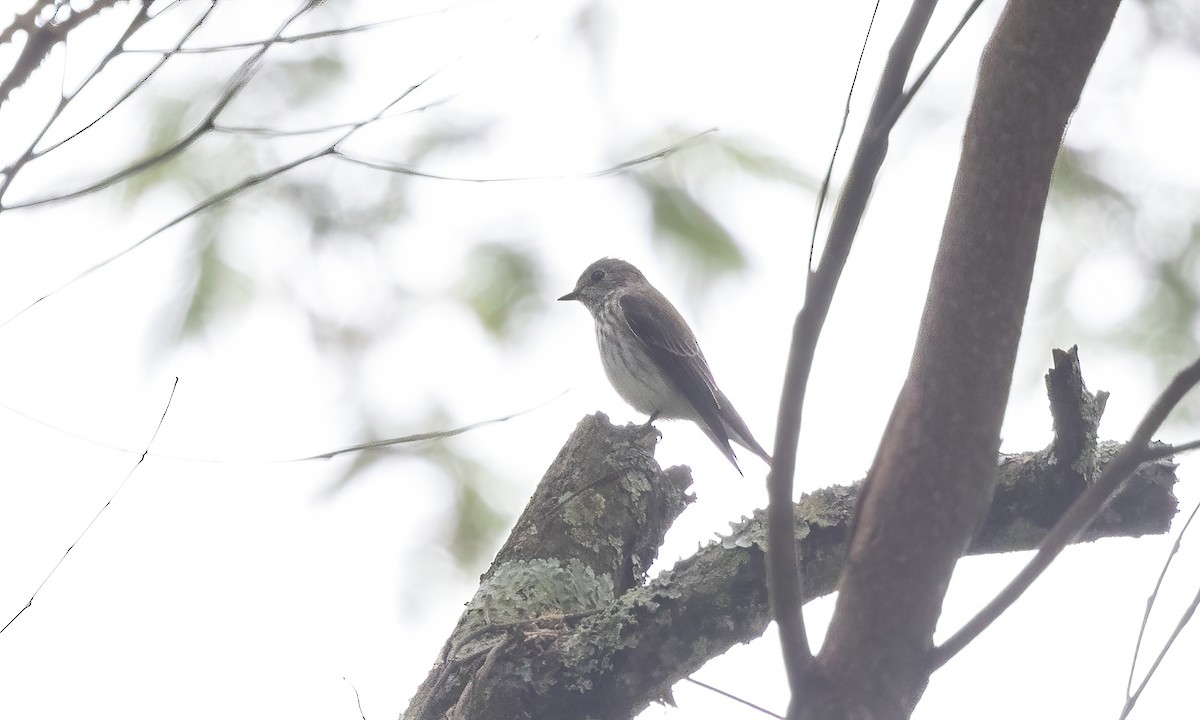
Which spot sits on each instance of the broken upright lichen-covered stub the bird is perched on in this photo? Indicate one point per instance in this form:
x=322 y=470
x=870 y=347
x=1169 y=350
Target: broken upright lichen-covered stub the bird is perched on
x=592 y=529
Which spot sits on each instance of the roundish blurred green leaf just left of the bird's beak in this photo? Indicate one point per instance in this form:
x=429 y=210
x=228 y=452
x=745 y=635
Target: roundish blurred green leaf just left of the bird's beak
x=501 y=285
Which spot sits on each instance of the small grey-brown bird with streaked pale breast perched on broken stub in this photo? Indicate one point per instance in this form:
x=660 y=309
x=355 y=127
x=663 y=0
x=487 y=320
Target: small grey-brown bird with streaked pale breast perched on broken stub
x=652 y=357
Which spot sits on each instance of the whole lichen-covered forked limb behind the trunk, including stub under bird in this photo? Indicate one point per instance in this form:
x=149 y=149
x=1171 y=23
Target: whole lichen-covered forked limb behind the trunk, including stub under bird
x=553 y=639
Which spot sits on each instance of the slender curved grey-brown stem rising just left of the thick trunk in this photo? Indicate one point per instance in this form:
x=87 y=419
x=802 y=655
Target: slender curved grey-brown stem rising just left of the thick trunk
x=783 y=567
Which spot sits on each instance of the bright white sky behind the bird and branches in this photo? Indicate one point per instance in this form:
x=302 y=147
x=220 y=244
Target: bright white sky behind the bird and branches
x=239 y=589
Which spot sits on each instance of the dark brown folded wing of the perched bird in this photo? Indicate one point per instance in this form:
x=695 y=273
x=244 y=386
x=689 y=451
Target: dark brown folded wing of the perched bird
x=674 y=349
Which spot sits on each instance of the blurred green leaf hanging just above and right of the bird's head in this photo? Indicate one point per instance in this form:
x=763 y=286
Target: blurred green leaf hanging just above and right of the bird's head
x=682 y=220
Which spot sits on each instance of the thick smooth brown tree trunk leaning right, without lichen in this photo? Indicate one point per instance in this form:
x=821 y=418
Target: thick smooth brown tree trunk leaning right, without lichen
x=935 y=470
